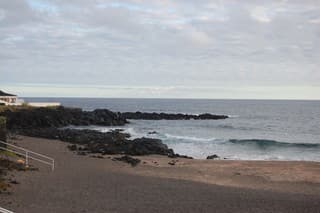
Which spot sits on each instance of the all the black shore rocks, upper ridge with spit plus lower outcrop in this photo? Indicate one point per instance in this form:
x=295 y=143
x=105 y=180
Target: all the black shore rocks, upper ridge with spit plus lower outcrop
x=49 y=122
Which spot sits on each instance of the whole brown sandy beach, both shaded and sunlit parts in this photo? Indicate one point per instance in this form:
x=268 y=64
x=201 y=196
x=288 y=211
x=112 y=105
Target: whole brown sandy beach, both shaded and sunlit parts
x=85 y=184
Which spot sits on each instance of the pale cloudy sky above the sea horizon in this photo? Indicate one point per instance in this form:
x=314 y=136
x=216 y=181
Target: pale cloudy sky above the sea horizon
x=226 y=49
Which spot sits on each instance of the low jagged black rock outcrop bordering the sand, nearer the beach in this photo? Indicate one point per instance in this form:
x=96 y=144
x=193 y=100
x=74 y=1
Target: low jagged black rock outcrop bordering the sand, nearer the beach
x=90 y=141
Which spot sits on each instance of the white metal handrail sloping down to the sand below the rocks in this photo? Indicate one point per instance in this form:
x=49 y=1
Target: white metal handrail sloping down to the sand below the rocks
x=28 y=154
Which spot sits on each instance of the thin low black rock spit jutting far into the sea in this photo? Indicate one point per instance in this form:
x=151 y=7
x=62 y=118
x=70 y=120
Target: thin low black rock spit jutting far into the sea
x=167 y=116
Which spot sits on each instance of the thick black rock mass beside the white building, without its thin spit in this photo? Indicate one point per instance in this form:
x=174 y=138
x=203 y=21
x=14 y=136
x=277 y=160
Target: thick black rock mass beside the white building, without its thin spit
x=59 y=117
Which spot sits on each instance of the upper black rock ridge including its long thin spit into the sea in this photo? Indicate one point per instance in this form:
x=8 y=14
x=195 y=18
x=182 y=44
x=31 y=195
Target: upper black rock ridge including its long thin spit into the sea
x=47 y=117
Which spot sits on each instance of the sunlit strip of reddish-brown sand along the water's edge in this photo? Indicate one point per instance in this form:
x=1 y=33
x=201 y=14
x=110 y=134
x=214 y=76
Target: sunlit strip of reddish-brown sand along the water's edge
x=280 y=176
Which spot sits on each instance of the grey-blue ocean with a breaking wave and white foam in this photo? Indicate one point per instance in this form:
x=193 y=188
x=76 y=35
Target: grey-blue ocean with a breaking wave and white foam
x=256 y=129
